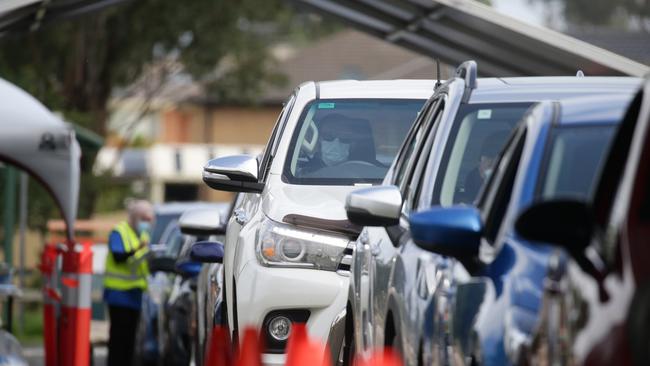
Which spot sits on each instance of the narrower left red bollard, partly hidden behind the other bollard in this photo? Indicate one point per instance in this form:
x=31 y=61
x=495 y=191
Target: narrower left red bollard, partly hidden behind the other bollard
x=51 y=300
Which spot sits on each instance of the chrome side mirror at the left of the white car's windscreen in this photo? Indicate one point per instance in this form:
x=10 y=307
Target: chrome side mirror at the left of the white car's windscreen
x=235 y=173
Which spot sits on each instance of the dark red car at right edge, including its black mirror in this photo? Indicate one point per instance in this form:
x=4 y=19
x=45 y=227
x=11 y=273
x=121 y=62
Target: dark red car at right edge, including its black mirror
x=596 y=307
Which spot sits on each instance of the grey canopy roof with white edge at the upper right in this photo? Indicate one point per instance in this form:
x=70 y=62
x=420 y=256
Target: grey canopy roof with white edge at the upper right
x=458 y=30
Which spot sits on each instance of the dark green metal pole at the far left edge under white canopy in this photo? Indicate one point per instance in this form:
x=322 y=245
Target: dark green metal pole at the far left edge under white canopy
x=8 y=218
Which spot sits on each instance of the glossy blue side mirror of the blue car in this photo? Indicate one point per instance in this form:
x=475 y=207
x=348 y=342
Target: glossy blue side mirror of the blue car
x=455 y=231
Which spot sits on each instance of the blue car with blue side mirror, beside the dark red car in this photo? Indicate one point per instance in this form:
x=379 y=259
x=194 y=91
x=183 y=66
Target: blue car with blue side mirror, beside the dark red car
x=488 y=289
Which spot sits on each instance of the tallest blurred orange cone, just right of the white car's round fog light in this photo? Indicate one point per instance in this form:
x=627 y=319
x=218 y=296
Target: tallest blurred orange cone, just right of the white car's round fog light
x=302 y=351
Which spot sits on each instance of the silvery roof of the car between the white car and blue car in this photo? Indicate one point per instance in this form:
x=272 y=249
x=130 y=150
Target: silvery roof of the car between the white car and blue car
x=531 y=89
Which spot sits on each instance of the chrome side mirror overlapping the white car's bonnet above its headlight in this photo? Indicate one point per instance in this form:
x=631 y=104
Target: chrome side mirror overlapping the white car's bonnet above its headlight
x=374 y=206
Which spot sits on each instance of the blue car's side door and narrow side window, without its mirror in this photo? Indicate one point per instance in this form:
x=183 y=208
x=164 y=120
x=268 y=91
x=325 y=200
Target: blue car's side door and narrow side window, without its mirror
x=477 y=282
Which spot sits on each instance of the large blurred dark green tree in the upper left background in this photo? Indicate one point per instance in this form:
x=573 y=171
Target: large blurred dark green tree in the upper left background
x=74 y=66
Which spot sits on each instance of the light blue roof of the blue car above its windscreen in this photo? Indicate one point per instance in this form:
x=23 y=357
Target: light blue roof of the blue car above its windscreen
x=594 y=109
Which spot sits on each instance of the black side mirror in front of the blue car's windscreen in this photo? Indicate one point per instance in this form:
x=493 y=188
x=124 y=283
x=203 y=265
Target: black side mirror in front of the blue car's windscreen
x=566 y=223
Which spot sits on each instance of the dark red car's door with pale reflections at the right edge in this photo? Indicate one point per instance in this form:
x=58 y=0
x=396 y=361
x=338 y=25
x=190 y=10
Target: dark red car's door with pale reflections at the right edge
x=608 y=292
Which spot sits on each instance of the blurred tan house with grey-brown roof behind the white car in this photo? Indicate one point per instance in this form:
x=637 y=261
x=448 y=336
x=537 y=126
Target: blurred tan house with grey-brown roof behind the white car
x=183 y=128
